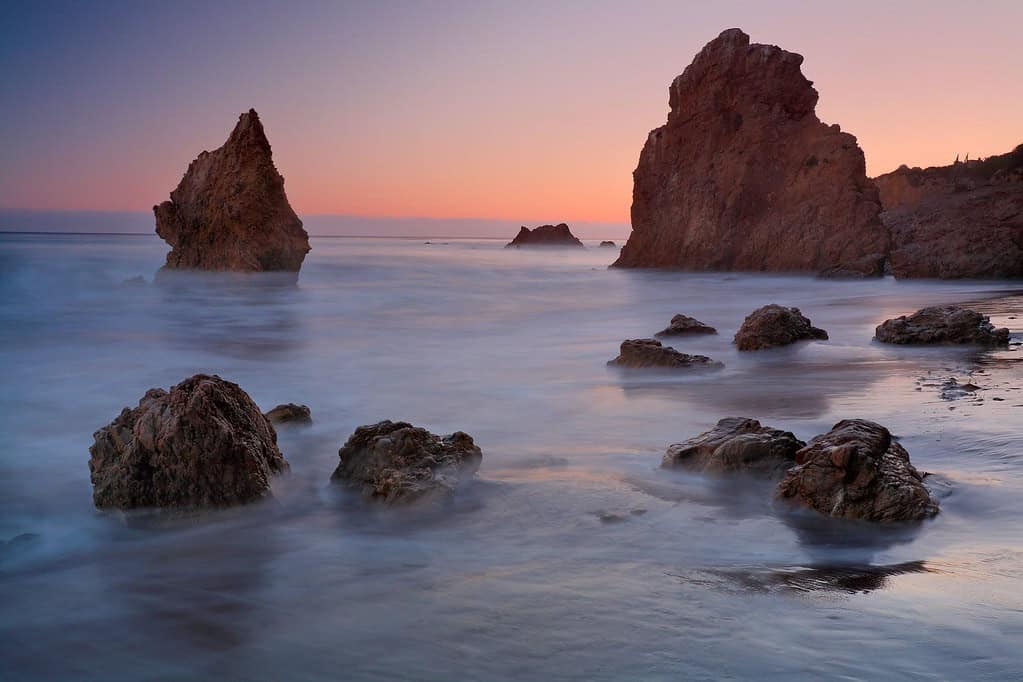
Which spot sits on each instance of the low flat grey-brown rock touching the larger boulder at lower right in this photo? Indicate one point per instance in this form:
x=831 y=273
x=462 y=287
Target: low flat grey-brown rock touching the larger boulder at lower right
x=736 y=444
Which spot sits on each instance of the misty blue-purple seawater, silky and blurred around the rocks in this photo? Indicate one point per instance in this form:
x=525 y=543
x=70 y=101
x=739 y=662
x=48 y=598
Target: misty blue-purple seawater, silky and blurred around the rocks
x=573 y=556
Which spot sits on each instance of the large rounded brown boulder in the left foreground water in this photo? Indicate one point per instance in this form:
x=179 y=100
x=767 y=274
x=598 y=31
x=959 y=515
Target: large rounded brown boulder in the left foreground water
x=202 y=444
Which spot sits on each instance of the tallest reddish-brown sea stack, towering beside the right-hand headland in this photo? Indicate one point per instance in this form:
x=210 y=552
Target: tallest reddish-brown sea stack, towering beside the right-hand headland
x=744 y=176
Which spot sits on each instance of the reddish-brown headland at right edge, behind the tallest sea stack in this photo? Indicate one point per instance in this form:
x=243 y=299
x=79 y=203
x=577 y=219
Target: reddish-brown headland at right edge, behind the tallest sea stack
x=964 y=220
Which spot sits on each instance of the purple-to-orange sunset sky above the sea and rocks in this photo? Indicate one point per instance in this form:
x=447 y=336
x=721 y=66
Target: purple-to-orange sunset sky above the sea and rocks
x=531 y=112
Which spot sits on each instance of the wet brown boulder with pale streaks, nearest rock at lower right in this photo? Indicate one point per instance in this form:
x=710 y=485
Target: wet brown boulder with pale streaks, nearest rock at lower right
x=857 y=471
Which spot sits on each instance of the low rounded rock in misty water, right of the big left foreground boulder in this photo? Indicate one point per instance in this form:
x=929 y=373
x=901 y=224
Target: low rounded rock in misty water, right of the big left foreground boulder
x=395 y=462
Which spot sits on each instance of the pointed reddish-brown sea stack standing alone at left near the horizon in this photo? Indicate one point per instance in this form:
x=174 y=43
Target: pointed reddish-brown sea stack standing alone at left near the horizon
x=230 y=212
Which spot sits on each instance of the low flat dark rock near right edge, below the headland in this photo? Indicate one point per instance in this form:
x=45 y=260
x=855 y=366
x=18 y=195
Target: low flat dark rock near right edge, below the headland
x=943 y=325
